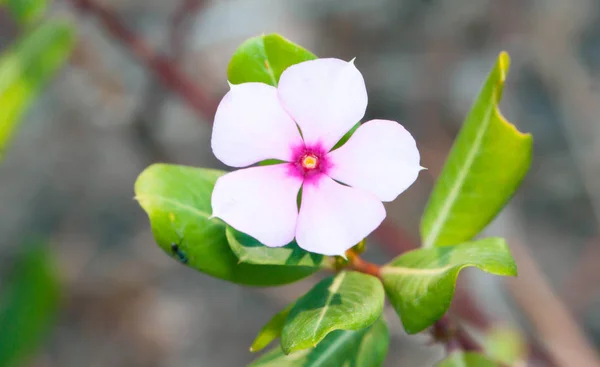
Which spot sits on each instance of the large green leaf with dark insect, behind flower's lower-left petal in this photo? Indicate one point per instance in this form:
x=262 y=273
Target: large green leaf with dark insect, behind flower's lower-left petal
x=177 y=201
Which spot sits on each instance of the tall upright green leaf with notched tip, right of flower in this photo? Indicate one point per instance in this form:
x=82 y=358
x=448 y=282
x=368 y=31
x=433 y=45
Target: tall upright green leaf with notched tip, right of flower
x=488 y=161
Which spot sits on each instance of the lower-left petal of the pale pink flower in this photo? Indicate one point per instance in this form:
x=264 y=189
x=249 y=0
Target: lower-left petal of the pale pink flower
x=259 y=201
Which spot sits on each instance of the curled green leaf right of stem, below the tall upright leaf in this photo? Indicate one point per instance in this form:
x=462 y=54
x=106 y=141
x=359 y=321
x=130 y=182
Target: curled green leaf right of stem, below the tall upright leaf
x=420 y=283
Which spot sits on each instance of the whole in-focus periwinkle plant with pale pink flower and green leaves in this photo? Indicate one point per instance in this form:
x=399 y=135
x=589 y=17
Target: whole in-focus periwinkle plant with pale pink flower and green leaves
x=317 y=191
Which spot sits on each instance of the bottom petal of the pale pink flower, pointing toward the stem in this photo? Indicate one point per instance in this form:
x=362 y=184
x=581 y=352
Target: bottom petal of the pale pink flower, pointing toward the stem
x=334 y=217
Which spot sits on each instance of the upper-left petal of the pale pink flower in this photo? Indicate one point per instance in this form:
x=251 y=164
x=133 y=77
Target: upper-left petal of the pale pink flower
x=251 y=126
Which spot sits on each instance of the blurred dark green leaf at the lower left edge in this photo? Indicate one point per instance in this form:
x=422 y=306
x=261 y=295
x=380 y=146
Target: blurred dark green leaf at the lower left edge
x=28 y=307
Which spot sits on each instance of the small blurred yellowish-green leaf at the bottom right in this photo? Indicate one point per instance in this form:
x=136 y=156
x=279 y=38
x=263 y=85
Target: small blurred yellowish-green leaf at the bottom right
x=505 y=345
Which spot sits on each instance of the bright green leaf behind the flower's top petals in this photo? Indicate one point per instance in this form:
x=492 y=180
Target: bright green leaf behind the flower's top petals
x=264 y=58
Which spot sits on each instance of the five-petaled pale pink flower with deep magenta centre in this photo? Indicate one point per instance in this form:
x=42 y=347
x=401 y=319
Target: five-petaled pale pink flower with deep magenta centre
x=298 y=123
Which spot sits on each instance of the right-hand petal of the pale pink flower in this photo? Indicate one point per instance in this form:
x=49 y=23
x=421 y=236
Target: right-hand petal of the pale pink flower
x=381 y=157
